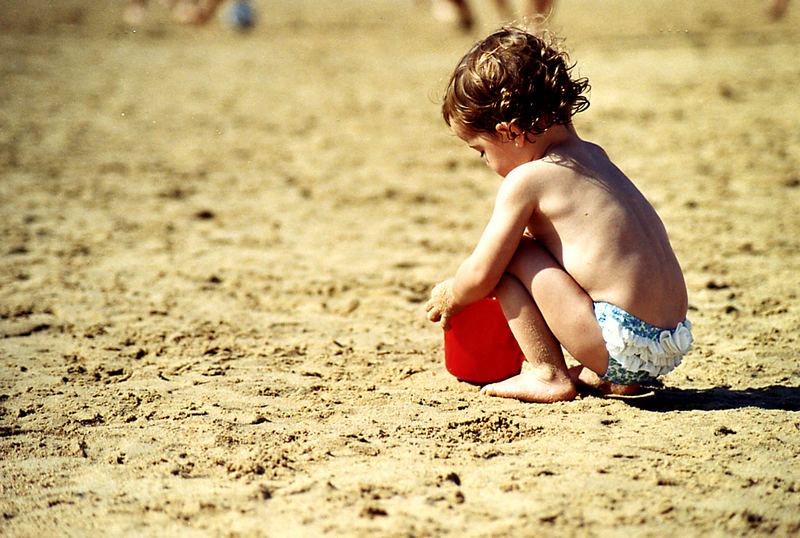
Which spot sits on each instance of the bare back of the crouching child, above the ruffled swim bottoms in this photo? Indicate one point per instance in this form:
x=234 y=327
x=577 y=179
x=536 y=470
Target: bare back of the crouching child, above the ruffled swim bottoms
x=605 y=234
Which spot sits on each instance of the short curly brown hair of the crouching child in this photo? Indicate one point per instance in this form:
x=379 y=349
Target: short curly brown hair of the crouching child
x=514 y=77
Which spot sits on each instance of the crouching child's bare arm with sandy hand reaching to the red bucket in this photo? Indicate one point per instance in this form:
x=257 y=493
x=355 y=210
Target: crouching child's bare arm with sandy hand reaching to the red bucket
x=481 y=271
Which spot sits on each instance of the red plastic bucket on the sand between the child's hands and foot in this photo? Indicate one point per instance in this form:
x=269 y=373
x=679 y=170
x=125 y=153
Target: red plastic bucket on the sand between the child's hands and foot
x=479 y=346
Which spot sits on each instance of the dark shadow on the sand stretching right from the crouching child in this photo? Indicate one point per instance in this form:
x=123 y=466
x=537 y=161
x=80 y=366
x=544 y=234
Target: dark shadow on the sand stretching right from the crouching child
x=720 y=398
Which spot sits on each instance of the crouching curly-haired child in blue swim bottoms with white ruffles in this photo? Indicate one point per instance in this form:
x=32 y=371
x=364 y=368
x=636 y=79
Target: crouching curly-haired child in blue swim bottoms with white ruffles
x=575 y=254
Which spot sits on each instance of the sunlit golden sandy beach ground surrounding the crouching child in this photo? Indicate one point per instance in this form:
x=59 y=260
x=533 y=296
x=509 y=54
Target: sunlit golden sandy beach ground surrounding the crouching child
x=216 y=250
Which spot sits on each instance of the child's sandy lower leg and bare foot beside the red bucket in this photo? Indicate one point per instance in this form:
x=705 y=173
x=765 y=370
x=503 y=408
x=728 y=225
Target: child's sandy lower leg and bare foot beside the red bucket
x=547 y=379
